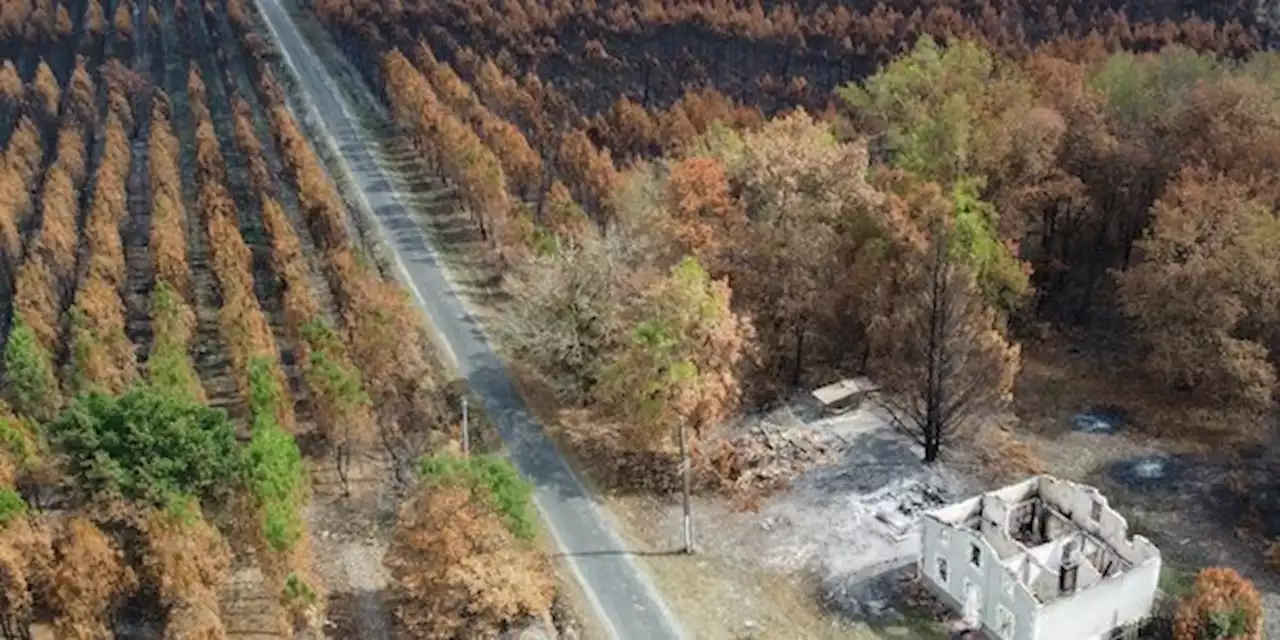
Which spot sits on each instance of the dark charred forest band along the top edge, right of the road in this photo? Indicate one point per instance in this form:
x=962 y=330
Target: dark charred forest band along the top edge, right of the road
x=774 y=56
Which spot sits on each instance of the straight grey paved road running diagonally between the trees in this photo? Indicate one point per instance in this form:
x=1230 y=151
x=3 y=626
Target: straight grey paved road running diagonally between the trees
x=623 y=596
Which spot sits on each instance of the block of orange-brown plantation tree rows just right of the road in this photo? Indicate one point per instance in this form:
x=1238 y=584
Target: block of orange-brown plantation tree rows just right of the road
x=557 y=156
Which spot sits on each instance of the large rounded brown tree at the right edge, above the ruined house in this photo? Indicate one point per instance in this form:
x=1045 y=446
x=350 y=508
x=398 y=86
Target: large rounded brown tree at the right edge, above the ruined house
x=1204 y=299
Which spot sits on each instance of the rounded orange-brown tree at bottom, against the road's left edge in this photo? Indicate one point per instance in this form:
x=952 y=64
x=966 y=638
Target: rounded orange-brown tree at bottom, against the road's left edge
x=459 y=572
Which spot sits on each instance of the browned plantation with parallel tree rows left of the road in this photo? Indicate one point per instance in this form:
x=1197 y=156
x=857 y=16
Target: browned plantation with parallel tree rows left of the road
x=195 y=339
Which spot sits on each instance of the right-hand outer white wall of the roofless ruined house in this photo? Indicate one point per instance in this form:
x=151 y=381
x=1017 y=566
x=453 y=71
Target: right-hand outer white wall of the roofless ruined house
x=1095 y=611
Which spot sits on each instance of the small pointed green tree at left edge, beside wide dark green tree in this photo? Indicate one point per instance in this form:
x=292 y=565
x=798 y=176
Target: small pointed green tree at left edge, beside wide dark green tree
x=30 y=383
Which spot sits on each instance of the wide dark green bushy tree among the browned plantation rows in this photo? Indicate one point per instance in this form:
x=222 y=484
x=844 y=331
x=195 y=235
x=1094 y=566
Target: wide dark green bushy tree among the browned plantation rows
x=149 y=446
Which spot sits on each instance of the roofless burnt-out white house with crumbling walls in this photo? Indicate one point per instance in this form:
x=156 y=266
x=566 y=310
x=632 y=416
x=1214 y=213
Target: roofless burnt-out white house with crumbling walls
x=1040 y=560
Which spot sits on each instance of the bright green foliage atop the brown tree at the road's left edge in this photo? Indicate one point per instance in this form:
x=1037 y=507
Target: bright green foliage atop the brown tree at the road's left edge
x=495 y=479
